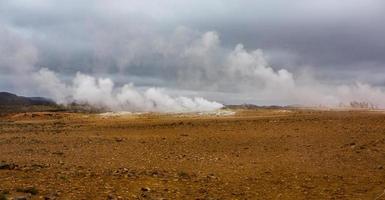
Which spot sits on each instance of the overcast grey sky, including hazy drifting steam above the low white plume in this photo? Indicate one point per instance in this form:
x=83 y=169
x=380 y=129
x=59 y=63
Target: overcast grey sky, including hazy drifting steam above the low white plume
x=229 y=51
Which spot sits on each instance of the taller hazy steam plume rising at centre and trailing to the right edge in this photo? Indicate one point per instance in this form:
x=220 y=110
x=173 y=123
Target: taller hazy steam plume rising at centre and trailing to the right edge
x=248 y=76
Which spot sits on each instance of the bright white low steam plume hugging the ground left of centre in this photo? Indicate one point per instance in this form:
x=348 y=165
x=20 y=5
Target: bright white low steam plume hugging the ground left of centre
x=101 y=93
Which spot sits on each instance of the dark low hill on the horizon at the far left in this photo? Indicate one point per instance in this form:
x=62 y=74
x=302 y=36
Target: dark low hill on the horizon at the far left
x=9 y=99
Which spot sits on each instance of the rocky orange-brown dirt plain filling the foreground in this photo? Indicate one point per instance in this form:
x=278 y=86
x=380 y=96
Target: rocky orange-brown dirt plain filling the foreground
x=254 y=154
